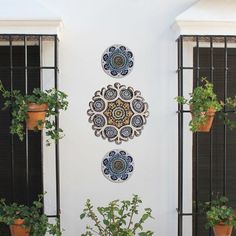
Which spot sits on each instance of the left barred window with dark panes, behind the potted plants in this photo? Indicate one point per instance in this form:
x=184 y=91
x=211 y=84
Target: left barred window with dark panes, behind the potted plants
x=26 y=62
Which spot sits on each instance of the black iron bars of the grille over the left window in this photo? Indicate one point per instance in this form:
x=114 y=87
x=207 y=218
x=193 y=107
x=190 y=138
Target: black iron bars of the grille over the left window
x=25 y=38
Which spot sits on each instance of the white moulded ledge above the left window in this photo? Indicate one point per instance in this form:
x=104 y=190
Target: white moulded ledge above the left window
x=36 y=18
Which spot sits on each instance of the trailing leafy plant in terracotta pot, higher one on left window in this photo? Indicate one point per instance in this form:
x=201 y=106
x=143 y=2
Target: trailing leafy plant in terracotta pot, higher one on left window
x=25 y=108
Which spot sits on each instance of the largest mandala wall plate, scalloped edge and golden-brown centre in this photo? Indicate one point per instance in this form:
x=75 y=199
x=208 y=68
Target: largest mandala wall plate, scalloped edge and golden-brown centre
x=118 y=113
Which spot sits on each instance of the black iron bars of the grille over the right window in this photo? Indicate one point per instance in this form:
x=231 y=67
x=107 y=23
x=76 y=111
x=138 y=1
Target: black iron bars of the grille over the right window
x=183 y=111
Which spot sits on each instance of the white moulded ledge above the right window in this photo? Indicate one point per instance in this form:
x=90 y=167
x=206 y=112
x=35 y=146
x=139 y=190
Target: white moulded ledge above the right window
x=207 y=17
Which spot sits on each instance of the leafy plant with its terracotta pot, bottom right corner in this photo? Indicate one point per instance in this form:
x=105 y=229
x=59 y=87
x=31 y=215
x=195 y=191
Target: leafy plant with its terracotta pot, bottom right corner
x=220 y=216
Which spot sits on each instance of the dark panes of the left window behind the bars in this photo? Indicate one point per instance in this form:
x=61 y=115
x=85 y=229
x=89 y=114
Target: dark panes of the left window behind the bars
x=13 y=153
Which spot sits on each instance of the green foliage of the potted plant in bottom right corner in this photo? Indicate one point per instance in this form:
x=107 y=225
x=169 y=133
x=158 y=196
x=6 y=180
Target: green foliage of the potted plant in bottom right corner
x=218 y=212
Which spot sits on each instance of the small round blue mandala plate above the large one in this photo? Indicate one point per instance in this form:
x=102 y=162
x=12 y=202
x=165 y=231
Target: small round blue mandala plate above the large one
x=117 y=61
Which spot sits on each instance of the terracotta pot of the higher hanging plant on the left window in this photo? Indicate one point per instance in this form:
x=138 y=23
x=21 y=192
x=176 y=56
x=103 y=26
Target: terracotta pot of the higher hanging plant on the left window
x=36 y=112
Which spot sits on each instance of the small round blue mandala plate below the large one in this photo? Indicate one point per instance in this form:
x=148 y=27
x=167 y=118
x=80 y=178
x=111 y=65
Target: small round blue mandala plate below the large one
x=117 y=165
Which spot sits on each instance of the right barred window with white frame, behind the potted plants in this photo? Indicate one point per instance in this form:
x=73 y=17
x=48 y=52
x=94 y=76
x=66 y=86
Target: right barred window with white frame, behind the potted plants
x=213 y=162
